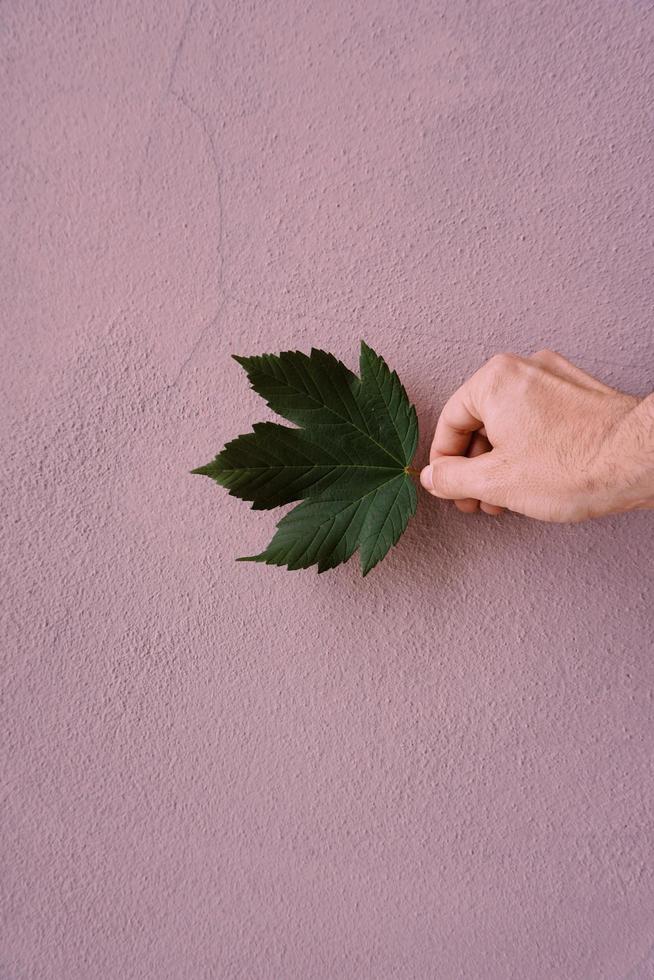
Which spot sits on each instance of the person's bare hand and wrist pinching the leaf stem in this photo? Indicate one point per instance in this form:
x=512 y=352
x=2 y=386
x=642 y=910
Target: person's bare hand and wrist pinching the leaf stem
x=543 y=438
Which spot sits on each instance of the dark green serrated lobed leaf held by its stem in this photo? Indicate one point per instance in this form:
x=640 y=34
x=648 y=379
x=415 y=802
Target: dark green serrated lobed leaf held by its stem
x=348 y=462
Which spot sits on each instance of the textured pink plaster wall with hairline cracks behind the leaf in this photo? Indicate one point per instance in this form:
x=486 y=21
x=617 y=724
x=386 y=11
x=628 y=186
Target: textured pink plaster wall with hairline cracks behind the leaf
x=222 y=770
